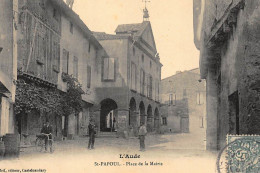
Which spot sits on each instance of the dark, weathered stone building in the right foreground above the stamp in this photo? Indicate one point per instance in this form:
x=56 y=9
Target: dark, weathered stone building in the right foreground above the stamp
x=227 y=35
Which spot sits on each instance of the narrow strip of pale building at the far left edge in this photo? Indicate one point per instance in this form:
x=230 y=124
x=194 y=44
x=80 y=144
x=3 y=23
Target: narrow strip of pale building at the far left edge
x=8 y=64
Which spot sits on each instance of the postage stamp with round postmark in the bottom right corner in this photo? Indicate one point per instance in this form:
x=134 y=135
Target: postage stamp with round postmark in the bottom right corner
x=242 y=154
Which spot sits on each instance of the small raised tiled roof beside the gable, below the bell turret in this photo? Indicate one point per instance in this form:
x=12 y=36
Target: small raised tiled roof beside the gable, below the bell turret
x=137 y=29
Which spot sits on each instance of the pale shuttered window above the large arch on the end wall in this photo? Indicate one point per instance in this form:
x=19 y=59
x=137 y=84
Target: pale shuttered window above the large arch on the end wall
x=109 y=69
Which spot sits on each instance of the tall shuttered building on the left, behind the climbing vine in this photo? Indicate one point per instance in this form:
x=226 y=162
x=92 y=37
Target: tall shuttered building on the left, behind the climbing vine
x=53 y=42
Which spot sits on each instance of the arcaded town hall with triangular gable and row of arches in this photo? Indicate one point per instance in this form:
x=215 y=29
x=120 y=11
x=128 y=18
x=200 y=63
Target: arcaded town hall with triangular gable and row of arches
x=130 y=80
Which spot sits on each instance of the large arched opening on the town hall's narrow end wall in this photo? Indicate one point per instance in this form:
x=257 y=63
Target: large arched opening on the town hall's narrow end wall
x=108 y=116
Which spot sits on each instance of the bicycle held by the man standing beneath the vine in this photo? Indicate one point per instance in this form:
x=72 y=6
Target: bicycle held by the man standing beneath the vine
x=40 y=143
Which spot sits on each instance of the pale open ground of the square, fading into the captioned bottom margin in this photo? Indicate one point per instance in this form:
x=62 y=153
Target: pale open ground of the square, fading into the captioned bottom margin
x=171 y=152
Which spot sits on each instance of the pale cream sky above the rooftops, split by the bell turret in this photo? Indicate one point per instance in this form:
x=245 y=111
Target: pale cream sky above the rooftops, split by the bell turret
x=171 y=20
